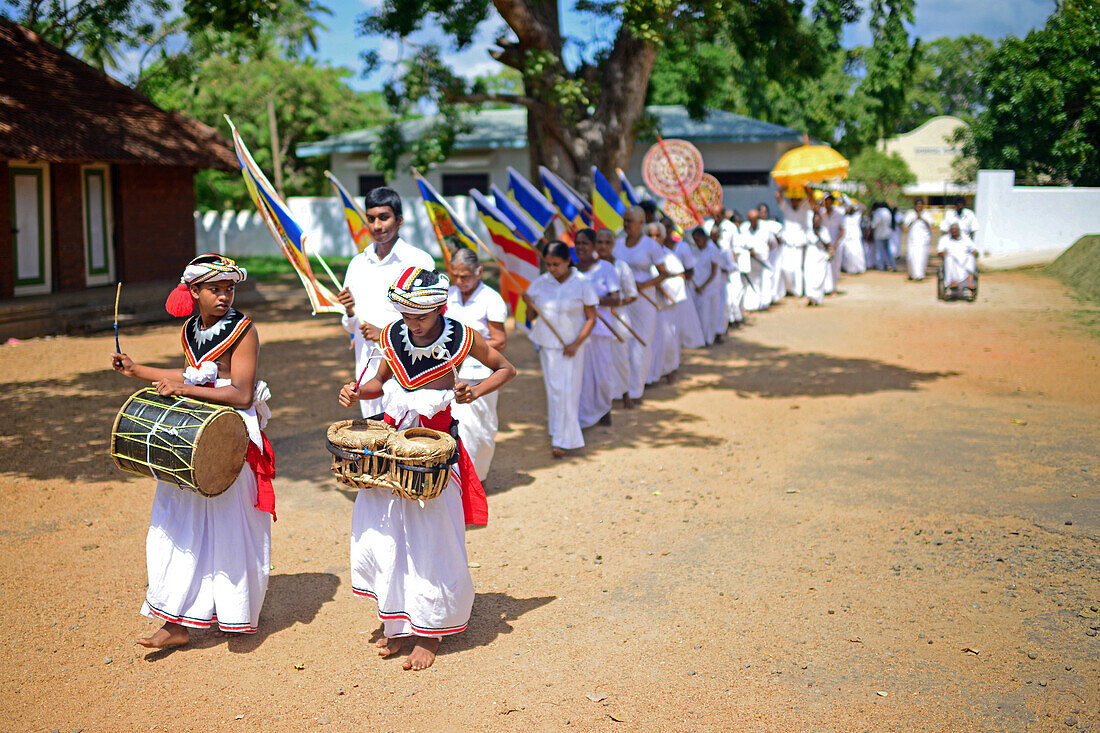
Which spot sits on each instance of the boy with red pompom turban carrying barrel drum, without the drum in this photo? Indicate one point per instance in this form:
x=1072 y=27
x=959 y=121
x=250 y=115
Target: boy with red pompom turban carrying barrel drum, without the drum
x=210 y=557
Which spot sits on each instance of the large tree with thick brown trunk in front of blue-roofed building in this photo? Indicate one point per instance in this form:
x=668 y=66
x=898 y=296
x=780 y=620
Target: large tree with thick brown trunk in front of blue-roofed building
x=589 y=114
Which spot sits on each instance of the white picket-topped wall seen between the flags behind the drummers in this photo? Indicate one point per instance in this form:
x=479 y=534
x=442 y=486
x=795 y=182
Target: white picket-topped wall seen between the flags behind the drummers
x=244 y=234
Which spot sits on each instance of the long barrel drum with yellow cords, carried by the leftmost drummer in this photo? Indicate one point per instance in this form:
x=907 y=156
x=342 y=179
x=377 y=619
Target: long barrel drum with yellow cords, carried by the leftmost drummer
x=194 y=445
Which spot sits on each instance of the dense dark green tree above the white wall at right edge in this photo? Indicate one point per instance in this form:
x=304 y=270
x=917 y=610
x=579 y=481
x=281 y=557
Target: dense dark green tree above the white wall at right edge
x=1043 y=115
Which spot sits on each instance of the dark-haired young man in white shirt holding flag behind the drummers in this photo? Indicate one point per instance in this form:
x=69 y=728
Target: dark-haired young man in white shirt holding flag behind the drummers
x=370 y=276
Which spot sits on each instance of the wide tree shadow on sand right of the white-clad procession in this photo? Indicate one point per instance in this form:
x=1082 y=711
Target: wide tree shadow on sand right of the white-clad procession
x=752 y=369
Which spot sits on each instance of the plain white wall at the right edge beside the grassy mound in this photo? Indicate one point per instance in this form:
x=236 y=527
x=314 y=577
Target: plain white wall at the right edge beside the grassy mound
x=1031 y=225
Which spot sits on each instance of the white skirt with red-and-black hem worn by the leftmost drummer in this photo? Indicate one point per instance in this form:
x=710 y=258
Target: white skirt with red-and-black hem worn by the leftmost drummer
x=208 y=557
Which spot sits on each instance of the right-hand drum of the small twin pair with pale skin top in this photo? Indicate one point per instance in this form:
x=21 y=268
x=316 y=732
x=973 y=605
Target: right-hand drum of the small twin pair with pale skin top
x=423 y=461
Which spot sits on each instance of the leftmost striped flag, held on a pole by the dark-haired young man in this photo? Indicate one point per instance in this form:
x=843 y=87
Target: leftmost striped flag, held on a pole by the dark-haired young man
x=287 y=232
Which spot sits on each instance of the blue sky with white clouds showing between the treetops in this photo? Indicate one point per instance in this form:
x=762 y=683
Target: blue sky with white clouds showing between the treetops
x=340 y=46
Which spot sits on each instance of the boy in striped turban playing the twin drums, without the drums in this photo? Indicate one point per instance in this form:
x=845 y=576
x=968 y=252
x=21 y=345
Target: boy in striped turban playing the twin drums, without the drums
x=412 y=557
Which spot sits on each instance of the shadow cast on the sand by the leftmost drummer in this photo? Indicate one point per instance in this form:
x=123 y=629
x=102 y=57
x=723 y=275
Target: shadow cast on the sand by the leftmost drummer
x=292 y=599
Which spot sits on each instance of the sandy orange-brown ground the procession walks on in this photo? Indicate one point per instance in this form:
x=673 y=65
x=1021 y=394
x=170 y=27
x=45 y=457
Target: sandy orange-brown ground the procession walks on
x=883 y=515
